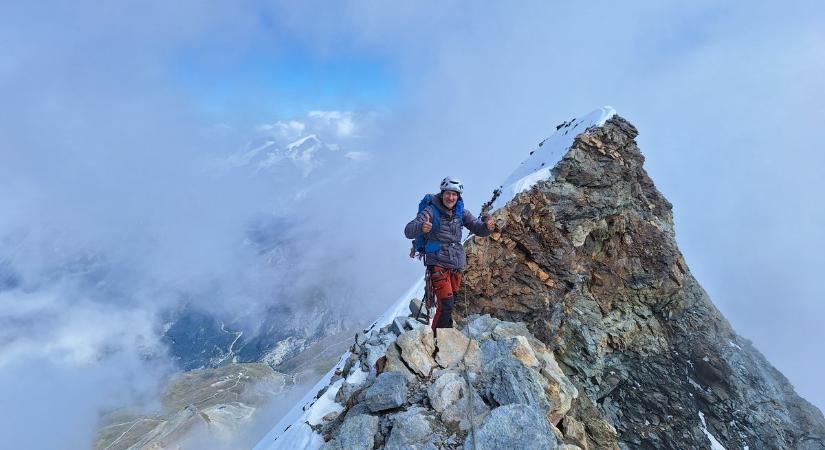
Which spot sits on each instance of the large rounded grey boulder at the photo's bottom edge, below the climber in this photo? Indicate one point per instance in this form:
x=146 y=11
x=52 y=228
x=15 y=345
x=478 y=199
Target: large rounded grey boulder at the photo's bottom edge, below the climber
x=513 y=426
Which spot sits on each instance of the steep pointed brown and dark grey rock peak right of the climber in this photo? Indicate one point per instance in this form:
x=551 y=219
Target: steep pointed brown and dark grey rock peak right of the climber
x=588 y=260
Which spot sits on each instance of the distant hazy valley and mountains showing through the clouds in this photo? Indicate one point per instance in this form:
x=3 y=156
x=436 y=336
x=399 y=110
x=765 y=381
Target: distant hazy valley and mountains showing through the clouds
x=234 y=364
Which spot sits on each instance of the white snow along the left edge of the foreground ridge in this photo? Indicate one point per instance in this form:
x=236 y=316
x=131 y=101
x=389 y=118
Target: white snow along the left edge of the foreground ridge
x=293 y=431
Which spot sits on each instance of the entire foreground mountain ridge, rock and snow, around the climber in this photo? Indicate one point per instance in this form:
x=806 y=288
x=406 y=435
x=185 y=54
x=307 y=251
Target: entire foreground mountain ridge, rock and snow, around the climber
x=579 y=326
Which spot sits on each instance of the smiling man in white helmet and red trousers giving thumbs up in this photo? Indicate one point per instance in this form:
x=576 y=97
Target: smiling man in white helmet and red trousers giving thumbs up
x=437 y=233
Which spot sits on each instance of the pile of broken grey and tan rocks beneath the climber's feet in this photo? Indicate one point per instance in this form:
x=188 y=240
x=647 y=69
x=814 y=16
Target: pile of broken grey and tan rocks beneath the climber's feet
x=492 y=377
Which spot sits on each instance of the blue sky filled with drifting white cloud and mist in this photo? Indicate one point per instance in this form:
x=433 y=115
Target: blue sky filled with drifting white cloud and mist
x=112 y=116
